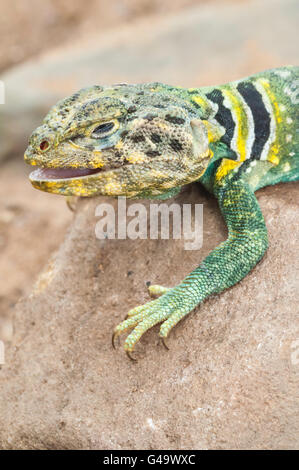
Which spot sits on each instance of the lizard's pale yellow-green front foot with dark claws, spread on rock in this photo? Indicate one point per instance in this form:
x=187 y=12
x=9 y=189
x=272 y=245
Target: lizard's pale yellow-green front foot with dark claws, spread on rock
x=170 y=308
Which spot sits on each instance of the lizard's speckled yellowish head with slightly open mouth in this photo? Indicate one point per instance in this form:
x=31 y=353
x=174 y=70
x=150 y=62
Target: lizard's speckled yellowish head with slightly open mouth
x=125 y=140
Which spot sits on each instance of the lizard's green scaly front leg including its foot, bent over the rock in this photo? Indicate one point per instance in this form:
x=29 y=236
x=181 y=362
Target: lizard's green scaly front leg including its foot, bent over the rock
x=226 y=265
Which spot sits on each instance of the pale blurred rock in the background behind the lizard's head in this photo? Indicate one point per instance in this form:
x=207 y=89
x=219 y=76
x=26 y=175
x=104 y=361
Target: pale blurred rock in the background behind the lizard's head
x=161 y=49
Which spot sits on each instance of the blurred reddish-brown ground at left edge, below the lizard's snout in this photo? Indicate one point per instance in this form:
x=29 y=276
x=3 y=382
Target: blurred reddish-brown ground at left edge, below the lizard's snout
x=32 y=226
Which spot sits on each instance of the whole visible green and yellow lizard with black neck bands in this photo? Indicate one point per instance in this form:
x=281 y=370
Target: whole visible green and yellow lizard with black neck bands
x=149 y=140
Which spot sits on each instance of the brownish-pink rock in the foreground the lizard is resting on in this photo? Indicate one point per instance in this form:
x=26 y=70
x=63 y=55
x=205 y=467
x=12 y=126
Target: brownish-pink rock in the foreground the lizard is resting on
x=229 y=380
